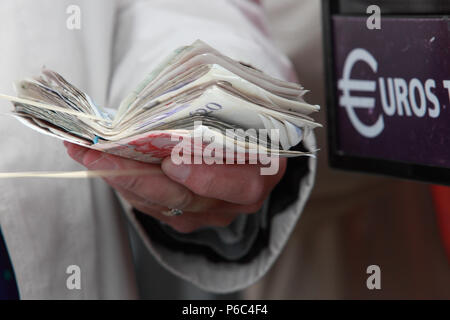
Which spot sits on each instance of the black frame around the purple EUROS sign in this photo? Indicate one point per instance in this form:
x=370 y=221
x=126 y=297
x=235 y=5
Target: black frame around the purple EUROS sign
x=338 y=159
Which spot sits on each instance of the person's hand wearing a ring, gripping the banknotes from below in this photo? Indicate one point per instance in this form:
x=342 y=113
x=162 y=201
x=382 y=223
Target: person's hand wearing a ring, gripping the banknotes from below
x=209 y=195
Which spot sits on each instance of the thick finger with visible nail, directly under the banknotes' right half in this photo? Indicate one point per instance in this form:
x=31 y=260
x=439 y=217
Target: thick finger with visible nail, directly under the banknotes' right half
x=235 y=183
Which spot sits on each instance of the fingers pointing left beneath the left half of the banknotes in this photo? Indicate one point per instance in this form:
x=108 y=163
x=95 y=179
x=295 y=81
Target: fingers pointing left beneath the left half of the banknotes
x=154 y=191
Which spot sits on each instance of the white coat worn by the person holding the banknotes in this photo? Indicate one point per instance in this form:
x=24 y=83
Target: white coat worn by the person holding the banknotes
x=50 y=224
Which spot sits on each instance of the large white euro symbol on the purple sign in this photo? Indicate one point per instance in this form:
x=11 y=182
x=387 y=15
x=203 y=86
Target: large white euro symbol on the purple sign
x=346 y=84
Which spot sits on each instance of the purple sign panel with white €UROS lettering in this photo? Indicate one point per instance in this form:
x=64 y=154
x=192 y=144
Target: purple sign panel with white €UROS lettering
x=393 y=89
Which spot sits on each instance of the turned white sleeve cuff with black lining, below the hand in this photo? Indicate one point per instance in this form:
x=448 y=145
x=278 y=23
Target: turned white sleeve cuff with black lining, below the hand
x=214 y=260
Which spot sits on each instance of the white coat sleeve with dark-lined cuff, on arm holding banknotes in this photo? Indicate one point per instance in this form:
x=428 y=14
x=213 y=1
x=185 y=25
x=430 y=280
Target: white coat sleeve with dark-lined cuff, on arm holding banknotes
x=148 y=31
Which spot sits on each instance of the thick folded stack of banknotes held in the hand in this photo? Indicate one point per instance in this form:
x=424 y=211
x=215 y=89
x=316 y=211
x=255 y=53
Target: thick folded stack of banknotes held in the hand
x=197 y=92
